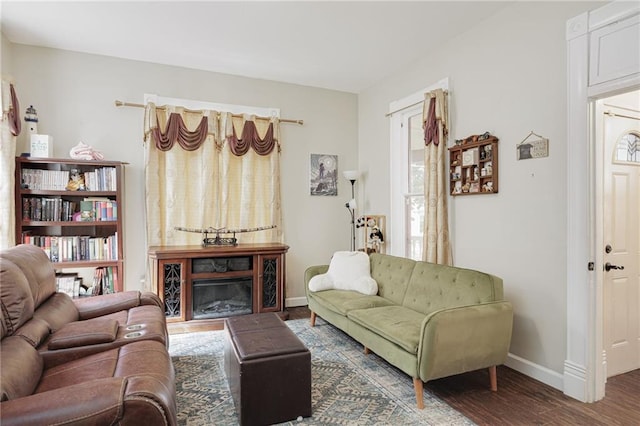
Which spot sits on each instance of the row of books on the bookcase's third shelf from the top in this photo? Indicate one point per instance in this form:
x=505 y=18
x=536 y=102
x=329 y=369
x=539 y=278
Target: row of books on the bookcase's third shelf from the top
x=75 y=248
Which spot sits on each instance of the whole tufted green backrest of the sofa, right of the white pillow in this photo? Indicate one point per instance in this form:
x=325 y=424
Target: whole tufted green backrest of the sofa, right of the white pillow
x=427 y=287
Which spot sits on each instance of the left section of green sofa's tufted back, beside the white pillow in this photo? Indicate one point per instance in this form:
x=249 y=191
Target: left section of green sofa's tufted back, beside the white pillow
x=392 y=274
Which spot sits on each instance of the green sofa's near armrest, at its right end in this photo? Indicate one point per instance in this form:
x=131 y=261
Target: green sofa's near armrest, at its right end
x=466 y=338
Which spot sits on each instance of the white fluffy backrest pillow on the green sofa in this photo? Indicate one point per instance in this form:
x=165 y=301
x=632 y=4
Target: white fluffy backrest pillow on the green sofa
x=348 y=270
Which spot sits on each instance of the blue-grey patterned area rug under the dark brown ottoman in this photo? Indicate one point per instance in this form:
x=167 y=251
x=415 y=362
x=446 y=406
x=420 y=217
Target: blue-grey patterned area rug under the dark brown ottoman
x=348 y=387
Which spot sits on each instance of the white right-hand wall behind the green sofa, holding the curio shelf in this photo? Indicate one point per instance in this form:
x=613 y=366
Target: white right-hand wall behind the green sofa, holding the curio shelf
x=507 y=76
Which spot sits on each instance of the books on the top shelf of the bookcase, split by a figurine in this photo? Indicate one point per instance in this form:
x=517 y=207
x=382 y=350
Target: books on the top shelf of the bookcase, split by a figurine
x=99 y=179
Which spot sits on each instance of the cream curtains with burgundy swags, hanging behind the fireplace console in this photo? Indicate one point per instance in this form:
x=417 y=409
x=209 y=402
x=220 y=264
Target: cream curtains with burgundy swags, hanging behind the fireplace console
x=209 y=186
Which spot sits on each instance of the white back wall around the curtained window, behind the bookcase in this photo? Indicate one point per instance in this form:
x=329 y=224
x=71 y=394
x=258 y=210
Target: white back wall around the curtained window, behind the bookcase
x=74 y=95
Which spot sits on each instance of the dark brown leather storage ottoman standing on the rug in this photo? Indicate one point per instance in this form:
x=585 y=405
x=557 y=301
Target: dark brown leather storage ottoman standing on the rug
x=268 y=369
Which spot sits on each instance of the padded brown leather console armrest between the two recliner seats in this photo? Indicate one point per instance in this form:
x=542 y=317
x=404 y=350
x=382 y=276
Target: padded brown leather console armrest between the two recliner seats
x=83 y=333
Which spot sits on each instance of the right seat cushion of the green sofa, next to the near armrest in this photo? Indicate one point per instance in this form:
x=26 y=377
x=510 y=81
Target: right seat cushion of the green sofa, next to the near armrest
x=395 y=323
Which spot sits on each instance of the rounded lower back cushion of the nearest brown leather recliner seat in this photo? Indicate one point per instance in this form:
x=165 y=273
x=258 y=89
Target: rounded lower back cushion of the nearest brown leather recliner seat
x=20 y=369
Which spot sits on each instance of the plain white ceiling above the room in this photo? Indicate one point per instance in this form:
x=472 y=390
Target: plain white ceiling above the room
x=345 y=46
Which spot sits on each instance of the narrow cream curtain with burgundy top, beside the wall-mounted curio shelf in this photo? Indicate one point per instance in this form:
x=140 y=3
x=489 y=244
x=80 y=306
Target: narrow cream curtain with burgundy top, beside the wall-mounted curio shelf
x=437 y=248
